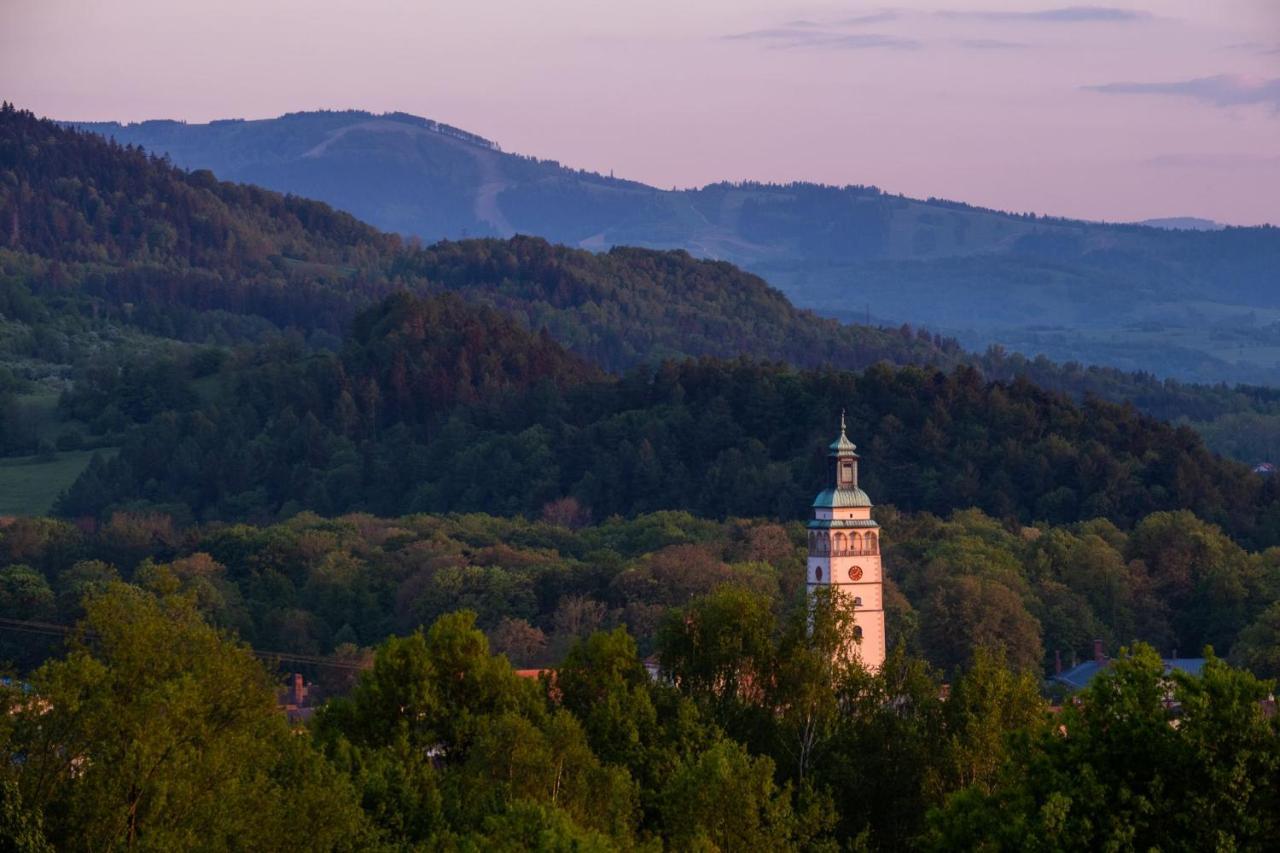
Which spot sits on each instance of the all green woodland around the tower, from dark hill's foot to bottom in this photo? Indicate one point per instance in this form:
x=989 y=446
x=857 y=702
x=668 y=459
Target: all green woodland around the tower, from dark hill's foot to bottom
x=157 y=727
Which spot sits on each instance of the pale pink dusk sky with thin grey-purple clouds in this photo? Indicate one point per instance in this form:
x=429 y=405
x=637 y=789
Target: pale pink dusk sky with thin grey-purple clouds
x=1103 y=110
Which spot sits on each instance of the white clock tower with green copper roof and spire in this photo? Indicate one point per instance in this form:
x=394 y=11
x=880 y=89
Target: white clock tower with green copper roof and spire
x=844 y=550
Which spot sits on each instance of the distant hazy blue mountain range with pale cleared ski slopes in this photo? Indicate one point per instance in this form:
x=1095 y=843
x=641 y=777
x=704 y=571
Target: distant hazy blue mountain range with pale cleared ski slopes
x=1196 y=305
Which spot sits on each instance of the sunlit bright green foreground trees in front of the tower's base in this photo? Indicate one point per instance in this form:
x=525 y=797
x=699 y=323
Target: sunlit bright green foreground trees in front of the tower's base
x=156 y=731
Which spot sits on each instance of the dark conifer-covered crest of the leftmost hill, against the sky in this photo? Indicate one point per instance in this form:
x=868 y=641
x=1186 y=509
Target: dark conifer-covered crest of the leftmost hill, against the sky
x=71 y=198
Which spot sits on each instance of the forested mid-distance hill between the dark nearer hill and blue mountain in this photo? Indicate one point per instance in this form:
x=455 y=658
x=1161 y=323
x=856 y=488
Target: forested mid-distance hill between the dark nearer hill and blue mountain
x=630 y=307
